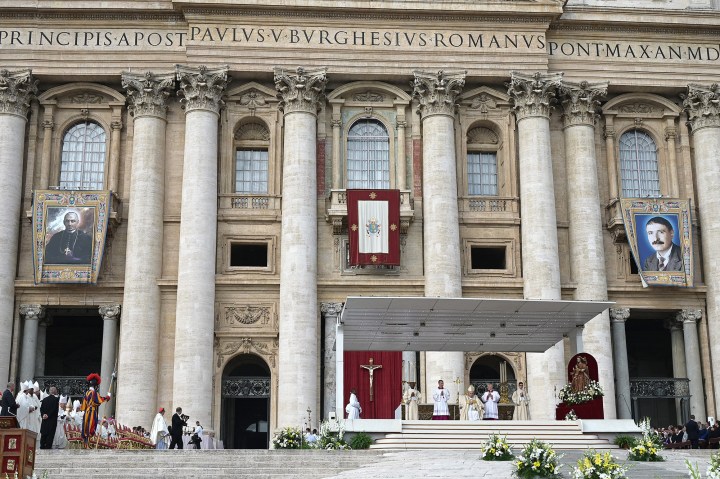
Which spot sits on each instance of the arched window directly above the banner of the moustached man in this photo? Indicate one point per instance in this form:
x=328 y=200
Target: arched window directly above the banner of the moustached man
x=638 y=165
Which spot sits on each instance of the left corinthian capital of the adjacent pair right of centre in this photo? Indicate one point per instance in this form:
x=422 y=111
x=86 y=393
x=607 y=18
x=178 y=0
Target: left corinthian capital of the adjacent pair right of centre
x=533 y=94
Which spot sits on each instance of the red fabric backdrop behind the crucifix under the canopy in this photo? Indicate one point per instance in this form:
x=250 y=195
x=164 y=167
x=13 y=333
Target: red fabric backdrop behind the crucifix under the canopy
x=387 y=382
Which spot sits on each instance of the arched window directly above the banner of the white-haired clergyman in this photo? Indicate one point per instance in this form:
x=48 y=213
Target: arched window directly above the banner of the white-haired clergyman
x=82 y=162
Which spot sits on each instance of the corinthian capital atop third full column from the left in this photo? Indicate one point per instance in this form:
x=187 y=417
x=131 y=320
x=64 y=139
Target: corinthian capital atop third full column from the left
x=201 y=88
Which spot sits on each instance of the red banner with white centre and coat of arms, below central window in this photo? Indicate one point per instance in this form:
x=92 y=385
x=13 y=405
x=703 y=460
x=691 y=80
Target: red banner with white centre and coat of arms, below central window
x=374 y=227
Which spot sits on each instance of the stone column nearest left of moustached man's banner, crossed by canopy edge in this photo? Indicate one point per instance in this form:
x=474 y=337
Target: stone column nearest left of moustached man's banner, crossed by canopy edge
x=587 y=253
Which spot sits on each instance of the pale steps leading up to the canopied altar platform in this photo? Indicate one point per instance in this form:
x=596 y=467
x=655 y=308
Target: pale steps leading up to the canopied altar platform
x=563 y=435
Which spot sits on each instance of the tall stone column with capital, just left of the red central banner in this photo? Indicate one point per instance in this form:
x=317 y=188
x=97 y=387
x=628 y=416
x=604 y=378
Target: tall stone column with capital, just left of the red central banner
x=302 y=93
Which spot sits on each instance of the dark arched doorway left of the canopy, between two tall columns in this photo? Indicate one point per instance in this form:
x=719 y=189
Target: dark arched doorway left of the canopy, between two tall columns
x=245 y=403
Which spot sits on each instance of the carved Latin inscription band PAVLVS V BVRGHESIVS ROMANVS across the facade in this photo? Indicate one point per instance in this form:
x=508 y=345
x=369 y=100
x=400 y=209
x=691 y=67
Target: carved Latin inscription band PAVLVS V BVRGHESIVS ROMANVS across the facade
x=356 y=38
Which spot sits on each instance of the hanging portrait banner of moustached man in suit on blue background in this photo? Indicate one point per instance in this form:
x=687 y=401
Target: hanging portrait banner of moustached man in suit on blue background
x=660 y=235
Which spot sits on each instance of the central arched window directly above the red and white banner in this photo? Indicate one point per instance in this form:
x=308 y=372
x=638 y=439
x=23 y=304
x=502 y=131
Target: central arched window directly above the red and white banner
x=368 y=159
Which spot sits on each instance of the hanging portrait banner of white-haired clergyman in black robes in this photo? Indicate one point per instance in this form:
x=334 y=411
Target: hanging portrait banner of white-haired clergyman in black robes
x=69 y=231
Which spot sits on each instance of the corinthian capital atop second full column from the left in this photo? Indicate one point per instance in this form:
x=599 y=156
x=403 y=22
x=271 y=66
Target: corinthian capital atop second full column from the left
x=147 y=93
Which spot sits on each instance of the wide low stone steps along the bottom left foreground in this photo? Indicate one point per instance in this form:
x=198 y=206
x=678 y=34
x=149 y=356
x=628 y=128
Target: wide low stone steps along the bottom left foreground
x=189 y=463
